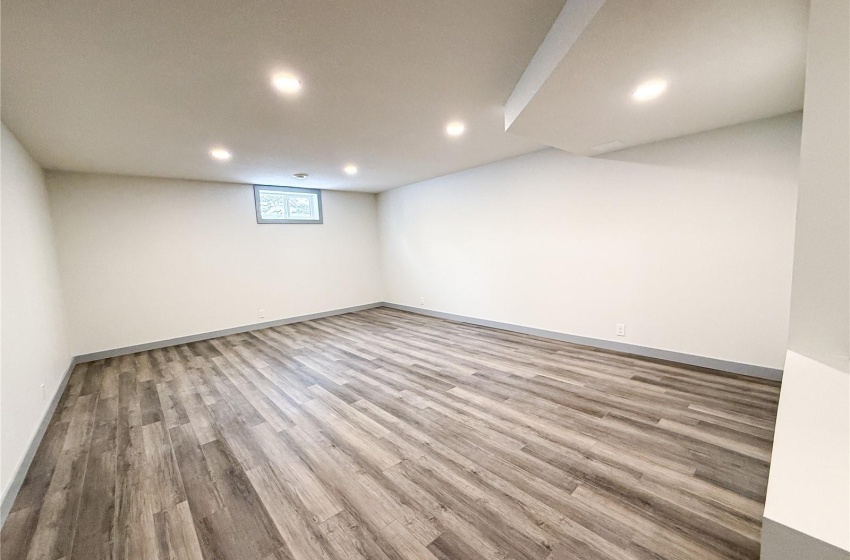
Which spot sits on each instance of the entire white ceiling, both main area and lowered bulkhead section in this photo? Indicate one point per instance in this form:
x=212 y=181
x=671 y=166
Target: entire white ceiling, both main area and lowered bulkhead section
x=148 y=87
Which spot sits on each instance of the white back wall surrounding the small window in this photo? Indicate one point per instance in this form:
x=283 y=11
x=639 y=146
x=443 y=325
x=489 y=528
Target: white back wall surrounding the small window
x=146 y=260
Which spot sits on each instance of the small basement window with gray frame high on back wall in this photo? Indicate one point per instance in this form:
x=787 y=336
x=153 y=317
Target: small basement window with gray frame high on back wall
x=287 y=205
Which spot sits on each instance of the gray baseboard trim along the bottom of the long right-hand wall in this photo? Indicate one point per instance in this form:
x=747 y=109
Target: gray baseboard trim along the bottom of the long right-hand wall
x=644 y=351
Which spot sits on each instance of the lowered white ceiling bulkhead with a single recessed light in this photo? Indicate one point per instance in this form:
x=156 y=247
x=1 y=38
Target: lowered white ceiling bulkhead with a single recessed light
x=726 y=62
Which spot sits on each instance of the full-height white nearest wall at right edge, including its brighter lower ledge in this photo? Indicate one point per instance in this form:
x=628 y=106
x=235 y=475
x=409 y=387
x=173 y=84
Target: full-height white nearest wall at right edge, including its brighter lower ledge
x=809 y=485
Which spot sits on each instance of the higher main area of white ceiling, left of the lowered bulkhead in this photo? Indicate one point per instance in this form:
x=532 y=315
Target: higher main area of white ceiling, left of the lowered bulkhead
x=147 y=87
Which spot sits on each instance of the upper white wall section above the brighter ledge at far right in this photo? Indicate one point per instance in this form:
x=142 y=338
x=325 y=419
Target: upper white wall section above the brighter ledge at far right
x=820 y=301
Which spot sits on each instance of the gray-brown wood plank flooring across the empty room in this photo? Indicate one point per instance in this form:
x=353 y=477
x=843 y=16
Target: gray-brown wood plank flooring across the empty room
x=385 y=435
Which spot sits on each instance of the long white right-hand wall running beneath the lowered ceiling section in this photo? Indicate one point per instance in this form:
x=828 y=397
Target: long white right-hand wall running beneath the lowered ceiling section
x=688 y=242
